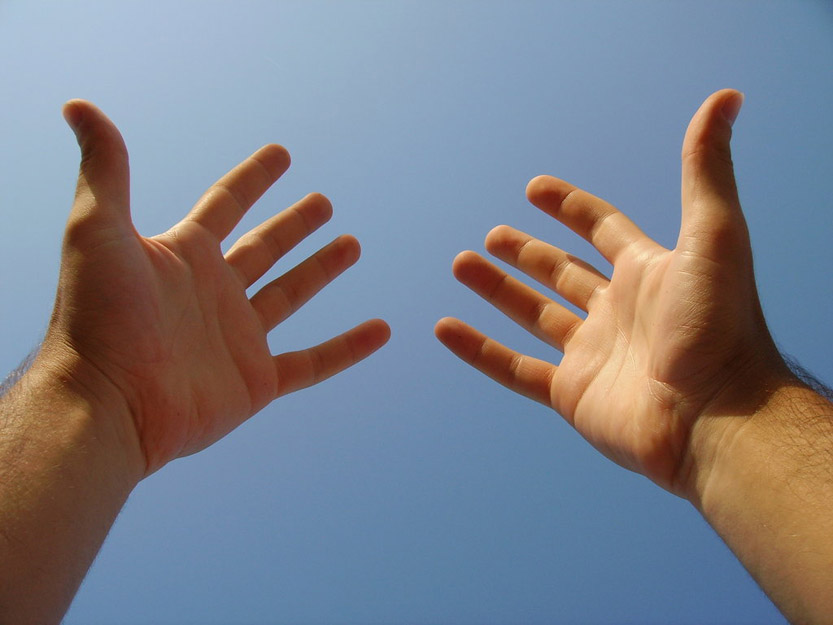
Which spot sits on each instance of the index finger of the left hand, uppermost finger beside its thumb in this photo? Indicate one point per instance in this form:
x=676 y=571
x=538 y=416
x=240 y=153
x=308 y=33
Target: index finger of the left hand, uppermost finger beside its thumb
x=227 y=200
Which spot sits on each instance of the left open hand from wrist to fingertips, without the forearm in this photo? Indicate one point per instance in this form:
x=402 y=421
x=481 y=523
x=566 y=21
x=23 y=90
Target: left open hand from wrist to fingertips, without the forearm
x=159 y=331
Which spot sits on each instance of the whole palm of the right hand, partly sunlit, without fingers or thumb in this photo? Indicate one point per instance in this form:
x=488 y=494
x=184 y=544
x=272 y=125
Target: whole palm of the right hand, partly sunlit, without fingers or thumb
x=634 y=376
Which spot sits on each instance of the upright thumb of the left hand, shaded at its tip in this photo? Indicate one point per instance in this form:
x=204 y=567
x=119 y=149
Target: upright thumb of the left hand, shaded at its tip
x=103 y=190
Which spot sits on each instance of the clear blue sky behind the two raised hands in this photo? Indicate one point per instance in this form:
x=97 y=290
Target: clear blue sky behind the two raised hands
x=411 y=489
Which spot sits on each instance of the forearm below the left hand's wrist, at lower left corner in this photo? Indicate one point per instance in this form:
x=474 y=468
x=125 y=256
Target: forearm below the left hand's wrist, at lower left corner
x=63 y=479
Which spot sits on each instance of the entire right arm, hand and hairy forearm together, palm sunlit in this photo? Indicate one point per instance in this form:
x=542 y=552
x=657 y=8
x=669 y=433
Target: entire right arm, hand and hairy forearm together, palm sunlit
x=672 y=372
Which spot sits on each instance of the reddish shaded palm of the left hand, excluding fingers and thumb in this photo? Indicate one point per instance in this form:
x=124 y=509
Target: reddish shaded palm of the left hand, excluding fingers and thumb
x=180 y=332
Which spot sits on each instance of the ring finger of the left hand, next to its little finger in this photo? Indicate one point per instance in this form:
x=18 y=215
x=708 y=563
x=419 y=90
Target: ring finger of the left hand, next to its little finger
x=283 y=296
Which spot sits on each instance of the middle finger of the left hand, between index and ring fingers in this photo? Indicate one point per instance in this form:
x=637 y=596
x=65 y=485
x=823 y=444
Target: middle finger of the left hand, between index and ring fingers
x=257 y=250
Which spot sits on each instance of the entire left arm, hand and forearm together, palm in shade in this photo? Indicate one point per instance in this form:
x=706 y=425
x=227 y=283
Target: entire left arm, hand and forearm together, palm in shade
x=154 y=351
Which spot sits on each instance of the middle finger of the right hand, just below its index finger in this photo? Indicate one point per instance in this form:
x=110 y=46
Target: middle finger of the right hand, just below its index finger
x=570 y=277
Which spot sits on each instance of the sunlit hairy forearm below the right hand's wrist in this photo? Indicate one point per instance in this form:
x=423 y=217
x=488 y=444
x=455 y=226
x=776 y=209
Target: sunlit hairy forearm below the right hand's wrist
x=768 y=492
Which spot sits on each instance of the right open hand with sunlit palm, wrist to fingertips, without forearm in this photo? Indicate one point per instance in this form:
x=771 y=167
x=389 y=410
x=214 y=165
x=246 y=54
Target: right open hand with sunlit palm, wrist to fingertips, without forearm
x=670 y=339
